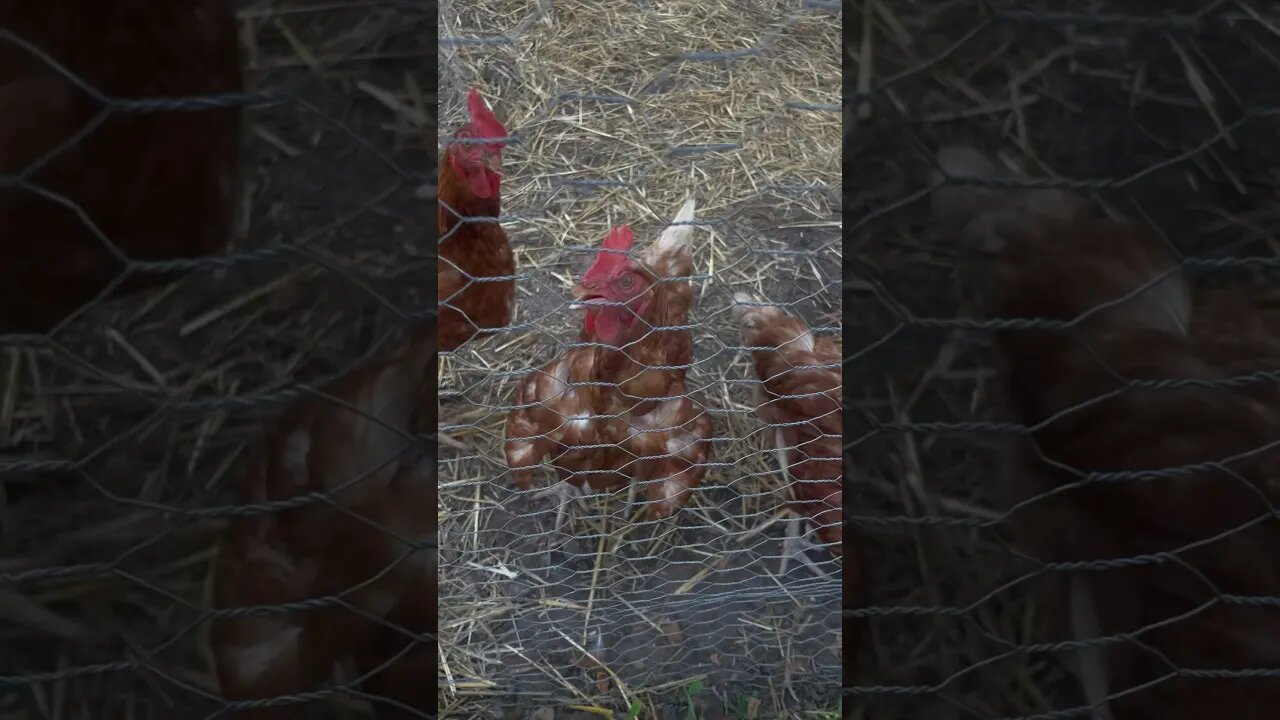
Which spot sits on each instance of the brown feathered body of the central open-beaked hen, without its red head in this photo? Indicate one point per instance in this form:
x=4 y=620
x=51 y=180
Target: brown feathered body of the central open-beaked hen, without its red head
x=656 y=435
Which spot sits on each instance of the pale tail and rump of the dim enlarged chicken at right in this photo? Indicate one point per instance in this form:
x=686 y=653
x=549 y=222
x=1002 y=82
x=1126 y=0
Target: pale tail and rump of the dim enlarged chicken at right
x=1049 y=239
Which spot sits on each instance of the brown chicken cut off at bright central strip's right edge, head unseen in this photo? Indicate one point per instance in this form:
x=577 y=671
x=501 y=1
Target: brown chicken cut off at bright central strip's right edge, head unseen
x=799 y=398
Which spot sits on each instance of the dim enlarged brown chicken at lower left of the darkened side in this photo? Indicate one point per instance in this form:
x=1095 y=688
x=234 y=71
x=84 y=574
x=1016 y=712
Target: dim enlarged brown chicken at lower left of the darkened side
x=371 y=543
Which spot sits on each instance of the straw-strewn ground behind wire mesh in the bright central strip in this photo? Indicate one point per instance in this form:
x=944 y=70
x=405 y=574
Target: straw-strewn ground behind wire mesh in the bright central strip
x=619 y=112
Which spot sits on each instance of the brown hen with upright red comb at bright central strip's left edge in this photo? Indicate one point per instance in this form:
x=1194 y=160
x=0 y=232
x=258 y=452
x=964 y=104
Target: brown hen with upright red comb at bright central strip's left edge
x=473 y=250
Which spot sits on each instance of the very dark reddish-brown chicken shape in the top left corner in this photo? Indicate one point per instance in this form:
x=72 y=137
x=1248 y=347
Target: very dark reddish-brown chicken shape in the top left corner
x=157 y=185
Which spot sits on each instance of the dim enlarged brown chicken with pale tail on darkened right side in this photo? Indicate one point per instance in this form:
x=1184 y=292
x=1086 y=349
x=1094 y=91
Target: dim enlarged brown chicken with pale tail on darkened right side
x=1140 y=448
